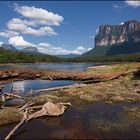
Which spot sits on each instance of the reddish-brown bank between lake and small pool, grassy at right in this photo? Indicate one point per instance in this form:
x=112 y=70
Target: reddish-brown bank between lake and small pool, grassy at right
x=95 y=74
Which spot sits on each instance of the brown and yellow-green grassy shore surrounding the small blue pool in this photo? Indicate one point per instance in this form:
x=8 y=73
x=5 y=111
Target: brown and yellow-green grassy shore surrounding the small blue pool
x=110 y=84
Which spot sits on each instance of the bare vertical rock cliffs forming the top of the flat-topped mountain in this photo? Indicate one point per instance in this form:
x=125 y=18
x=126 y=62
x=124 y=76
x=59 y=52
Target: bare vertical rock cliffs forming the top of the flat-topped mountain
x=112 y=35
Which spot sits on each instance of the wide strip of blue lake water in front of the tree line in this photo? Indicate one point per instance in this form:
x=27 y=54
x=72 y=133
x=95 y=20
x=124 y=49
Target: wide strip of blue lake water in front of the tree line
x=50 y=66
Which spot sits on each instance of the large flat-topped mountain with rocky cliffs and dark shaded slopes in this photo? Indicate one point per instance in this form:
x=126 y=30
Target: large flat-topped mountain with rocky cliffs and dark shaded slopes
x=117 y=39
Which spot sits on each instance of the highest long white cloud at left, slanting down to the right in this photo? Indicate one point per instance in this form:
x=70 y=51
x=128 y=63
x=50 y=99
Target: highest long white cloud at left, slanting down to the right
x=42 y=16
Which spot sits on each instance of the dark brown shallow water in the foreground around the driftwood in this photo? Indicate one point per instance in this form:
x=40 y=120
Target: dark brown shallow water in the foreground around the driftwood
x=94 y=121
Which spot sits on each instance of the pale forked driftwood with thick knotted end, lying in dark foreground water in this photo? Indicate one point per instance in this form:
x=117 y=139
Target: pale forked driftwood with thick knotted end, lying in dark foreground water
x=48 y=109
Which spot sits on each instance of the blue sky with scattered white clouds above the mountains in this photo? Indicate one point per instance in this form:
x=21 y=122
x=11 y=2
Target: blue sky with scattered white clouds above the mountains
x=60 y=27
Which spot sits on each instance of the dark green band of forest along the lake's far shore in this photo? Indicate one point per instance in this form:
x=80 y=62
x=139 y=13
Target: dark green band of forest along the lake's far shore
x=7 y=56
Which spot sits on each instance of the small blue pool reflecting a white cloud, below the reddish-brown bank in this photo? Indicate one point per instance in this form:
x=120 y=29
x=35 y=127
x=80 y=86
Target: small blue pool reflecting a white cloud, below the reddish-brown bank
x=22 y=87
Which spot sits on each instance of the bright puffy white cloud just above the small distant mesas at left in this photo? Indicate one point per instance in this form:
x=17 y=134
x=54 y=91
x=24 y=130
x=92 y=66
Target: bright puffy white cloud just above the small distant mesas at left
x=20 y=42
